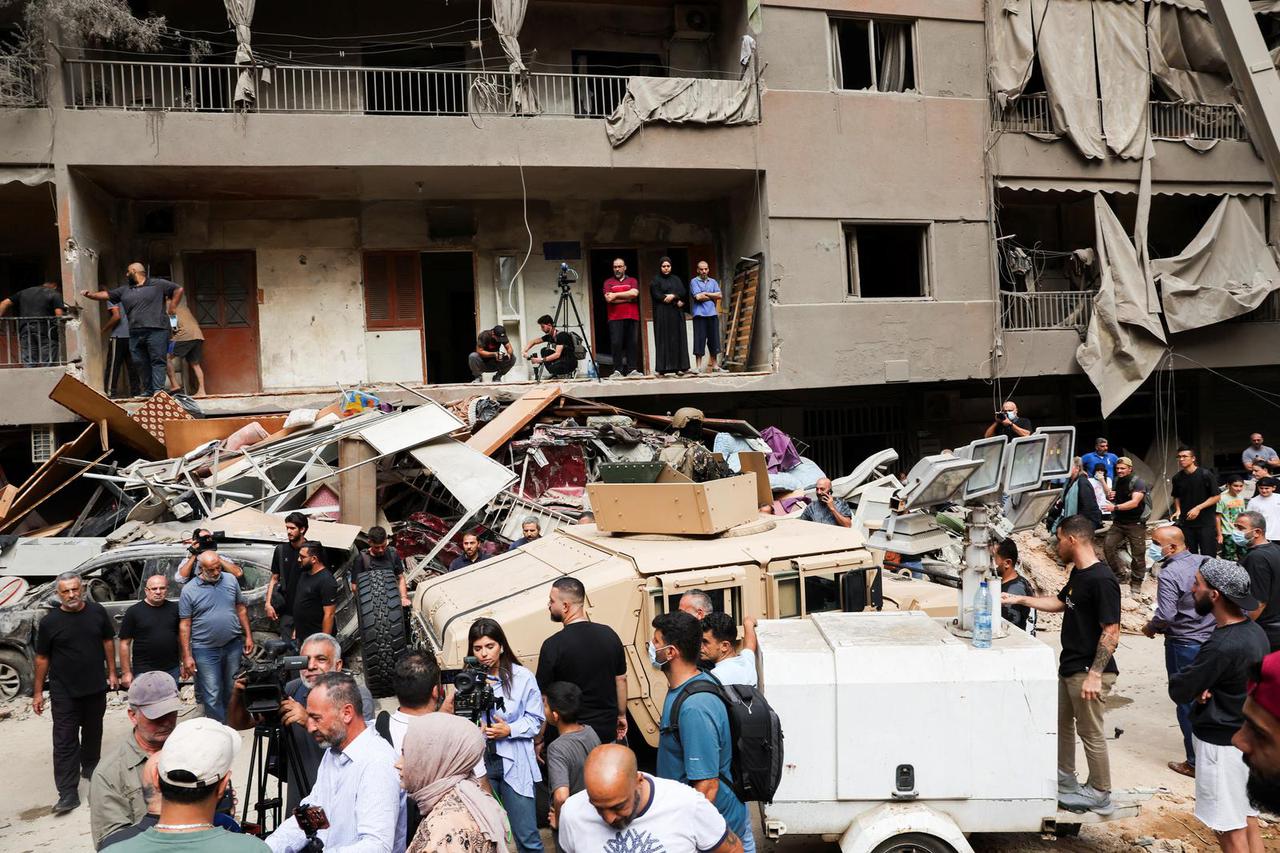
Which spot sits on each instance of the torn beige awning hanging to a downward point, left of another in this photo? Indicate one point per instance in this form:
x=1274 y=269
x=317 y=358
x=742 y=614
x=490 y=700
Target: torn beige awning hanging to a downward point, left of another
x=1126 y=341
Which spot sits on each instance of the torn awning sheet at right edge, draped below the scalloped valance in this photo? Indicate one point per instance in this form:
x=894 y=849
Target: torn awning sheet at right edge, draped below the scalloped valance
x=1226 y=272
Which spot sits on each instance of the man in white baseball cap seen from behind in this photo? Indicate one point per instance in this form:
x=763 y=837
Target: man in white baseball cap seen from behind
x=194 y=770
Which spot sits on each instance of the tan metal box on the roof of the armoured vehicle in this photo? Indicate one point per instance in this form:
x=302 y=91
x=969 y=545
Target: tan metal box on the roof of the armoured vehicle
x=674 y=508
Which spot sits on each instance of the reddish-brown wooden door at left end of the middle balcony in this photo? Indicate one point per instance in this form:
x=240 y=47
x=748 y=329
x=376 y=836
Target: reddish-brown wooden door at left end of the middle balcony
x=222 y=293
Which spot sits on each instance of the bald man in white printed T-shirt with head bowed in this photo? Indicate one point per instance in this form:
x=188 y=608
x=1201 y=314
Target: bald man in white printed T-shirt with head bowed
x=625 y=810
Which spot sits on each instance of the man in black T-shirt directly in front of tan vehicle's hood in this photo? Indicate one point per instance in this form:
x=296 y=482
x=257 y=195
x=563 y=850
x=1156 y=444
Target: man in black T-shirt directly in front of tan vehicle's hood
x=588 y=655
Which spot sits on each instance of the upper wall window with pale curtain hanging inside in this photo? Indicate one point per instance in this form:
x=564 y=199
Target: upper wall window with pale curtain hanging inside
x=872 y=54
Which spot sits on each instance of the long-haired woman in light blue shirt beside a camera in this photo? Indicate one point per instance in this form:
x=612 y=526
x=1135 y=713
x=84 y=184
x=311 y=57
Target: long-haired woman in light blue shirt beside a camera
x=510 y=732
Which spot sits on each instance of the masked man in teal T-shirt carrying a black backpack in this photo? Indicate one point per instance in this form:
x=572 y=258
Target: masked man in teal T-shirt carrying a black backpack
x=697 y=749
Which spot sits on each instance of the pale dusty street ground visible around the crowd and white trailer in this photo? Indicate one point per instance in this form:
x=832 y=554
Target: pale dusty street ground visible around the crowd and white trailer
x=1142 y=713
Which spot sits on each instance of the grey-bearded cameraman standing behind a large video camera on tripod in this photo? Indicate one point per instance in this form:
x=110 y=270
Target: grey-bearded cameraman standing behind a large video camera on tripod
x=324 y=655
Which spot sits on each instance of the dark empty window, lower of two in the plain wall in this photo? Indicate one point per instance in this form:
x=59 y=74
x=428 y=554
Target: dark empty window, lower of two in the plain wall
x=888 y=262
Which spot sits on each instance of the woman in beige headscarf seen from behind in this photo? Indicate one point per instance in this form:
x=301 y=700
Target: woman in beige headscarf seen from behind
x=441 y=755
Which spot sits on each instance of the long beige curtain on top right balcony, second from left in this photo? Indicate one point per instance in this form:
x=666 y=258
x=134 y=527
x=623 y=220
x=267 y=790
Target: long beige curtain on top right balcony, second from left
x=1066 y=47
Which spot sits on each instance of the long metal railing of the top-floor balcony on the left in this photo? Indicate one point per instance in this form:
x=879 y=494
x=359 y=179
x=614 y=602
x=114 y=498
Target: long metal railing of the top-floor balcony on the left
x=207 y=88
